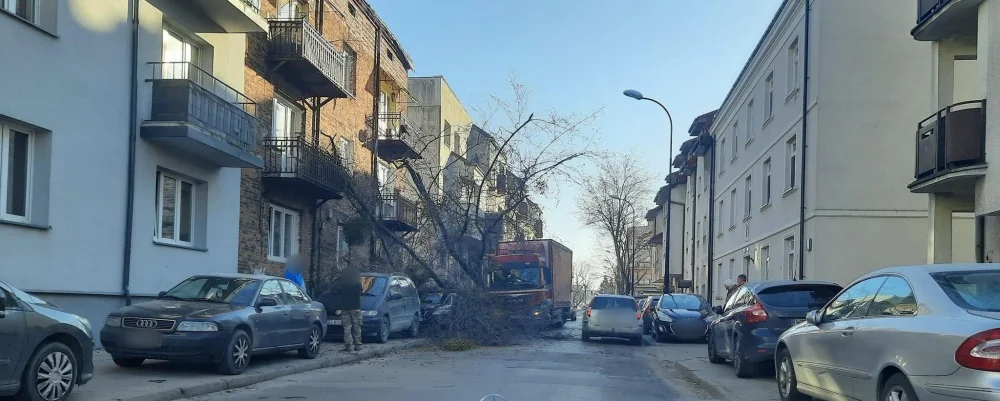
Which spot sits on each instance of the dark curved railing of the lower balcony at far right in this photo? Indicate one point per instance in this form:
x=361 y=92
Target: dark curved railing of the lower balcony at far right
x=953 y=137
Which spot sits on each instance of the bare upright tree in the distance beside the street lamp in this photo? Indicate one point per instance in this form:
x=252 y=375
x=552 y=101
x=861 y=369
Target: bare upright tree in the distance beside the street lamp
x=610 y=202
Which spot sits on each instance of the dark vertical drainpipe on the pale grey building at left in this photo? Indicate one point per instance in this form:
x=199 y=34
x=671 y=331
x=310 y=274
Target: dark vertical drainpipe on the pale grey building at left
x=133 y=116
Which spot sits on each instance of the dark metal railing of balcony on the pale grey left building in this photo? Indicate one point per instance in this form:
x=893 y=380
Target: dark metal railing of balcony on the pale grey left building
x=184 y=93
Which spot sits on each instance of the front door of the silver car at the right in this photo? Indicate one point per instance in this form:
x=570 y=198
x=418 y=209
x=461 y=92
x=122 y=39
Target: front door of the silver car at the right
x=826 y=353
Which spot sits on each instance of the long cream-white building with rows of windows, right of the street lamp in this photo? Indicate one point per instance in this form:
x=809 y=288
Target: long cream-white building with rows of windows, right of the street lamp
x=852 y=69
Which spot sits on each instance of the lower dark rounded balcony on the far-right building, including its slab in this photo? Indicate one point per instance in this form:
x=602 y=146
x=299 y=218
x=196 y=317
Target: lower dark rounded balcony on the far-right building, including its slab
x=951 y=149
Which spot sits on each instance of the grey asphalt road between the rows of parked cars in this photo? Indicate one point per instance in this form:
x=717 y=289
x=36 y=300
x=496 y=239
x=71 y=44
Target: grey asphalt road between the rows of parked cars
x=559 y=367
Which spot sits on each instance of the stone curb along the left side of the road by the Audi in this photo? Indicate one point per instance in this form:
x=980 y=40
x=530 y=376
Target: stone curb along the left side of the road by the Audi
x=235 y=382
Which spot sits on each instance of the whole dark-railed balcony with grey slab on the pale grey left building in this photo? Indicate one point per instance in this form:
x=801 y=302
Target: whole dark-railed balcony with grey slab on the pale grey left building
x=198 y=116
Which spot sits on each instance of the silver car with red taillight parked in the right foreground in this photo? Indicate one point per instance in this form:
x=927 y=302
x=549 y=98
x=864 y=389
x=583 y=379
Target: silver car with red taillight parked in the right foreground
x=901 y=333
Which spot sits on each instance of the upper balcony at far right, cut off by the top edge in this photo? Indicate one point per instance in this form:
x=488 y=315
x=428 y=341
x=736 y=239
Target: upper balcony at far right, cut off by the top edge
x=942 y=19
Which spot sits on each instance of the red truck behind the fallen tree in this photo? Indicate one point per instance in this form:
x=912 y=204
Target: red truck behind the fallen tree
x=533 y=280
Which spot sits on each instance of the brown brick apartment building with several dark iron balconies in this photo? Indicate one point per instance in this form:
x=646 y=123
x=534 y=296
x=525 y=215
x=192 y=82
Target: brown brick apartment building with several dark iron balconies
x=325 y=76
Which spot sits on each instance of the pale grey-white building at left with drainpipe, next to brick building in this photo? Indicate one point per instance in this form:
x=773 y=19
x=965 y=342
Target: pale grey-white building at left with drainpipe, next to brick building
x=65 y=124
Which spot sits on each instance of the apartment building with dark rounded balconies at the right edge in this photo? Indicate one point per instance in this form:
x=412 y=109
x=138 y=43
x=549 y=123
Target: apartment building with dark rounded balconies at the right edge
x=955 y=127
